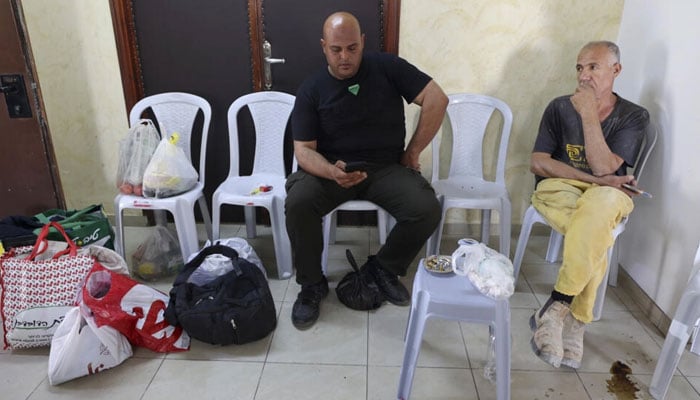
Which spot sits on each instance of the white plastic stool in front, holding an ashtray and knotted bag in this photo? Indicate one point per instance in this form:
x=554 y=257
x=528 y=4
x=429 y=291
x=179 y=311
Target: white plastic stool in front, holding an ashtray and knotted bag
x=453 y=297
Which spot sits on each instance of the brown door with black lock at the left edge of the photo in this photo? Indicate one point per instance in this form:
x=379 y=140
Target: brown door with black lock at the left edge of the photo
x=29 y=181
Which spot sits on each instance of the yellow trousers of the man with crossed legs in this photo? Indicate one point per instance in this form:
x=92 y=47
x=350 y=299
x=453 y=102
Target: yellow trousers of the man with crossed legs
x=586 y=215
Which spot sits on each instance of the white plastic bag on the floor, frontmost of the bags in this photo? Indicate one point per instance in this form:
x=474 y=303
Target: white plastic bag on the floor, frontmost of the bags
x=80 y=348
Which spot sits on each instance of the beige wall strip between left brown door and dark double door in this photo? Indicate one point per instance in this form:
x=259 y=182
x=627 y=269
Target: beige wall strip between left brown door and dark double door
x=76 y=60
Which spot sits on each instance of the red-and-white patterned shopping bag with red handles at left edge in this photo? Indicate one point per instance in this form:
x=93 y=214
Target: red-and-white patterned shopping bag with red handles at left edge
x=36 y=292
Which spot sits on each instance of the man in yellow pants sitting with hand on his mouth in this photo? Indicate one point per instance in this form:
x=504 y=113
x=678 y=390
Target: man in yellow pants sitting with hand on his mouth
x=585 y=143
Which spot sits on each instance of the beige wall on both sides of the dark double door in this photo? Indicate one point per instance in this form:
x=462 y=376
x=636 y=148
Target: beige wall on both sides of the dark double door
x=522 y=52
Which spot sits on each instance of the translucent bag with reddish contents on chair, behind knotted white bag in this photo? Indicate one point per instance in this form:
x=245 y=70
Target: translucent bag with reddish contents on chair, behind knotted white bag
x=135 y=152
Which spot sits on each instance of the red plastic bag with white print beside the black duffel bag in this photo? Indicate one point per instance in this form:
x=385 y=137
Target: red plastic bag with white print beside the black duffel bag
x=134 y=309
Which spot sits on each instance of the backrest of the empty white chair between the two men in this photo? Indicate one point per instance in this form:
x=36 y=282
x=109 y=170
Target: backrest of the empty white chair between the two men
x=469 y=115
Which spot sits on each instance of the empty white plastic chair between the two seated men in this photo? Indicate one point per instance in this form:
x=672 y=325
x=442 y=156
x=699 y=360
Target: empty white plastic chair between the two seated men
x=466 y=185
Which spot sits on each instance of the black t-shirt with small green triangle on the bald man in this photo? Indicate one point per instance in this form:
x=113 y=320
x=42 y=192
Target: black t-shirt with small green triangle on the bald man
x=359 y=118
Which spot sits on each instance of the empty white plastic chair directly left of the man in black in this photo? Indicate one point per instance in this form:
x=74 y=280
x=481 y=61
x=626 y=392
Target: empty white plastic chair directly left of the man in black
x=270 y=112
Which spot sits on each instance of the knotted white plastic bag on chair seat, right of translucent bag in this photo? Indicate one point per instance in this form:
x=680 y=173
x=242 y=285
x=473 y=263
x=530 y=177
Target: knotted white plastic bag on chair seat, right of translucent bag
x=169 y=172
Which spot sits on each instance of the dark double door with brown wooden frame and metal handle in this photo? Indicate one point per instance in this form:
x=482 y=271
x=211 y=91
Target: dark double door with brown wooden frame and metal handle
x=215 y=49
